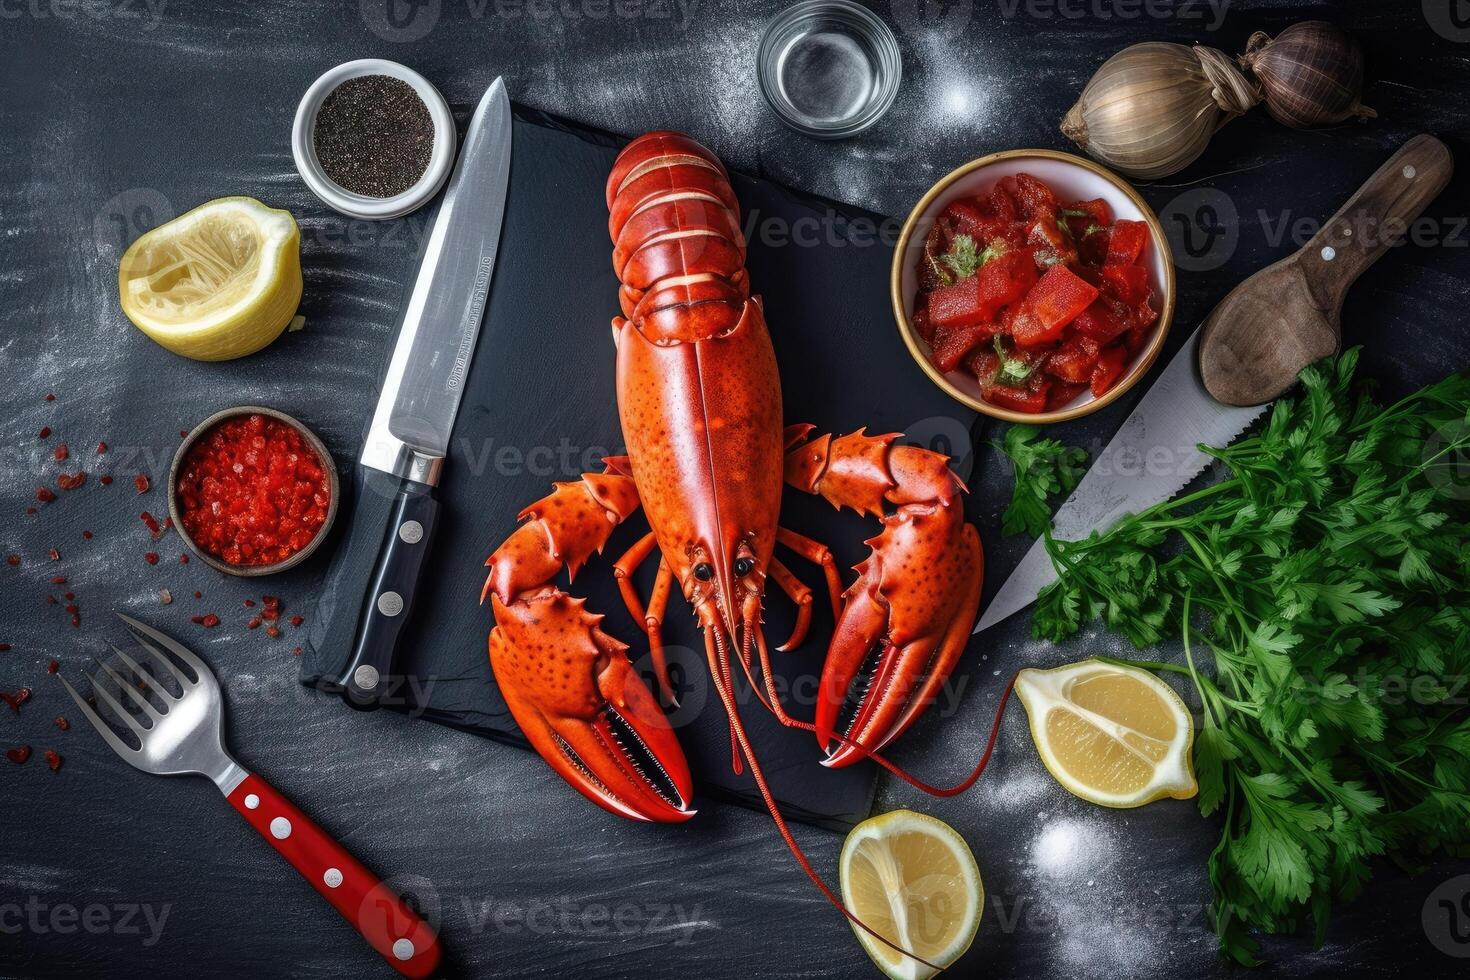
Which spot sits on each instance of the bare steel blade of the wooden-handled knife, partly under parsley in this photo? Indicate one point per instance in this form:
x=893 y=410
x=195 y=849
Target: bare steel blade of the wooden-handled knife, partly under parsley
x=1152 y=458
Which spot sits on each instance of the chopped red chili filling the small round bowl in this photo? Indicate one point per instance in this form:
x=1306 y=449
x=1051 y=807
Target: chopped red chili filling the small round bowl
x=254 y=491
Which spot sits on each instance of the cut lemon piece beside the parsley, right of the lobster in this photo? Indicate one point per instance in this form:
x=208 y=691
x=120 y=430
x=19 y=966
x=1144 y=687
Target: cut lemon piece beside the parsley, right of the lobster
x=1118 y=737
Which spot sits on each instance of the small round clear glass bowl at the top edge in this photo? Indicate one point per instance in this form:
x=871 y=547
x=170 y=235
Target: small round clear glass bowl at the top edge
x=830 y=68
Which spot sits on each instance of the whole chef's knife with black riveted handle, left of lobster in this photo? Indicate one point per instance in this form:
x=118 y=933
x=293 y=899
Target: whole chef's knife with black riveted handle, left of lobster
x=370 y=590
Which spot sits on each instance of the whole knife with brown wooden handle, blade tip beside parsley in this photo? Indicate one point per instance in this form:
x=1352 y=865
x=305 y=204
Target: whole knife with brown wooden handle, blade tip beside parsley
x=1253 y=345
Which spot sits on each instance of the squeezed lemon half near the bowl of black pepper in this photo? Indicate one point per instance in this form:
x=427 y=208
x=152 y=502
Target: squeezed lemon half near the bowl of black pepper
x=218 y=283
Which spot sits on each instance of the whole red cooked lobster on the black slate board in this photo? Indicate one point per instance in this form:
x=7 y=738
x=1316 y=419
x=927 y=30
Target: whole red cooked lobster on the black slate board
x=700 y=406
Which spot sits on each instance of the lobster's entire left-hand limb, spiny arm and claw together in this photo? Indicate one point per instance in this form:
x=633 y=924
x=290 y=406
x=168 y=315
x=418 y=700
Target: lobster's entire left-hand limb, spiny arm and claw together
x=568 y=684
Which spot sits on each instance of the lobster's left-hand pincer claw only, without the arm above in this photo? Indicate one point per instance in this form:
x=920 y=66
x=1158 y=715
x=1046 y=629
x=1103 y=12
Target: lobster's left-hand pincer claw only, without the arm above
x=586 y=710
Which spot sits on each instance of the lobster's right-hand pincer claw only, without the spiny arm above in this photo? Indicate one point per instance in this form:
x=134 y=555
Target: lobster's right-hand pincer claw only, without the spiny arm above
x=905 y=625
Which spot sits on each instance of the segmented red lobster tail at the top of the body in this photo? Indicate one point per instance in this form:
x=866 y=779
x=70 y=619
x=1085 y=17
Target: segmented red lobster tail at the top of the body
x=677 y=242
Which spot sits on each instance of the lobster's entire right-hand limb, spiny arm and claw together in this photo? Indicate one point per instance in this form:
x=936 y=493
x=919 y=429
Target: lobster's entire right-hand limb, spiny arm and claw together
x=908 y=618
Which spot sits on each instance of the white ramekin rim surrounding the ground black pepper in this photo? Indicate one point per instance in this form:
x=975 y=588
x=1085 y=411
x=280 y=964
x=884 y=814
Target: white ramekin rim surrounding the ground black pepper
x=442 y=159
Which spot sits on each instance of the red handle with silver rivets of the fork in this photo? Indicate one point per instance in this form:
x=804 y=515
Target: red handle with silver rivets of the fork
x=386 y=922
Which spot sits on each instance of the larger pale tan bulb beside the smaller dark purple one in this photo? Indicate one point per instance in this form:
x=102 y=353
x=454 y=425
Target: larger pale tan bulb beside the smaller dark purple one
x=1152 y=109
